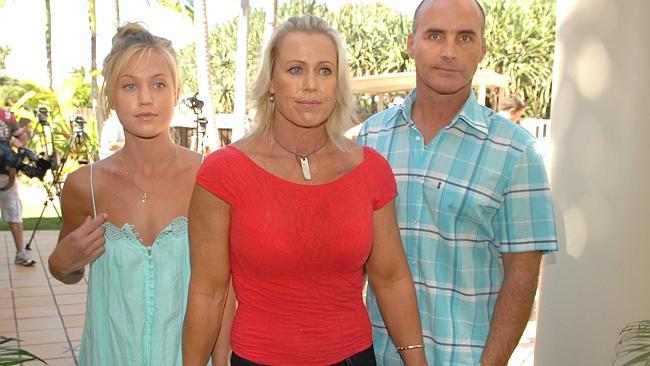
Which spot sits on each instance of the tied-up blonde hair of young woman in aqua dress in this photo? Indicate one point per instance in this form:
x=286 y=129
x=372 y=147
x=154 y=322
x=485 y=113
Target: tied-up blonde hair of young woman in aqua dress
x=130 y=39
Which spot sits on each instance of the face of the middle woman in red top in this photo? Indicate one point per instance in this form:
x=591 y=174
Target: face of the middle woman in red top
x=304 y=79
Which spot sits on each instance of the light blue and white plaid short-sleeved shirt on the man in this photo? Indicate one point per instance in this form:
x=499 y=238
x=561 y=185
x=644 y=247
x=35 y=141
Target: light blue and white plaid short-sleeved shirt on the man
x=478 y=189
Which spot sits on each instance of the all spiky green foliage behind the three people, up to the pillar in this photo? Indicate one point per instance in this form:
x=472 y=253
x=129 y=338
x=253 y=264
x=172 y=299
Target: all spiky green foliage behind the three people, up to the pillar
x=520 y=36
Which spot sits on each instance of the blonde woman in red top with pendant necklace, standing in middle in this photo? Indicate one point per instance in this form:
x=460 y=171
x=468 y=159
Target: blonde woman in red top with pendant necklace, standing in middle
x=293 y=212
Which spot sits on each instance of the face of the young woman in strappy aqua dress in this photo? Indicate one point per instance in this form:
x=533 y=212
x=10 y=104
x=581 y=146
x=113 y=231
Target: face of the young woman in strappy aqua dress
x=145 y=95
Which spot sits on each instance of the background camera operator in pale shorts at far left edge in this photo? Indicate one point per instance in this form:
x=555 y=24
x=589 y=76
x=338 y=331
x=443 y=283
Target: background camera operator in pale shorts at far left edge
x=12 y=135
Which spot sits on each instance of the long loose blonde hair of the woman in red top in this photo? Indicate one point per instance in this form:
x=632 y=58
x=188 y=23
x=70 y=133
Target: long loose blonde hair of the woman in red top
x=340 y=120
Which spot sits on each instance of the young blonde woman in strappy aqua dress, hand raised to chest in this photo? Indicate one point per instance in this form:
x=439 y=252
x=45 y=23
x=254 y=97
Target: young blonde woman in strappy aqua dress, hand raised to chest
x=126 y=215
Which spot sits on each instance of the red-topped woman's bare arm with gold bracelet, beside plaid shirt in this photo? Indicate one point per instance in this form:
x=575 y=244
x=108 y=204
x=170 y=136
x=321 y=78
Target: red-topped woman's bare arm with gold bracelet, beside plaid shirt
x=390 y=277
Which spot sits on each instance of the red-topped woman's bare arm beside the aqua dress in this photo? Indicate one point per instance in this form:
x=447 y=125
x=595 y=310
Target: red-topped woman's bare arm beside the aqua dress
x=209 y=227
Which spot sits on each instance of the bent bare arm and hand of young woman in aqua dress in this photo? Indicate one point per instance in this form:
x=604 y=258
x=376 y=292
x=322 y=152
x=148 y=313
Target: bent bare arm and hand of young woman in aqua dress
x=81 y=238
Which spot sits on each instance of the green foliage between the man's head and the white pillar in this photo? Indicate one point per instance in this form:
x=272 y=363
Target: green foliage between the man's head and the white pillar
x=521 y=41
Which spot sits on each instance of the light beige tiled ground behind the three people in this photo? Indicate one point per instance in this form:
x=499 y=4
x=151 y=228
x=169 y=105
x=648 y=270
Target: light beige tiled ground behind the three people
x=47 y=316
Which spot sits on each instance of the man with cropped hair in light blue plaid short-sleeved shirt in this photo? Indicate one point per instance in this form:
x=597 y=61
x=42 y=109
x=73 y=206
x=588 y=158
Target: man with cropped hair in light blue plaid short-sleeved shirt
x=474 y=205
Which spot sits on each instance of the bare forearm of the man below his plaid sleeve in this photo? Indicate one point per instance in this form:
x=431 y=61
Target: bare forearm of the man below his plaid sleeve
x=513 y=306
